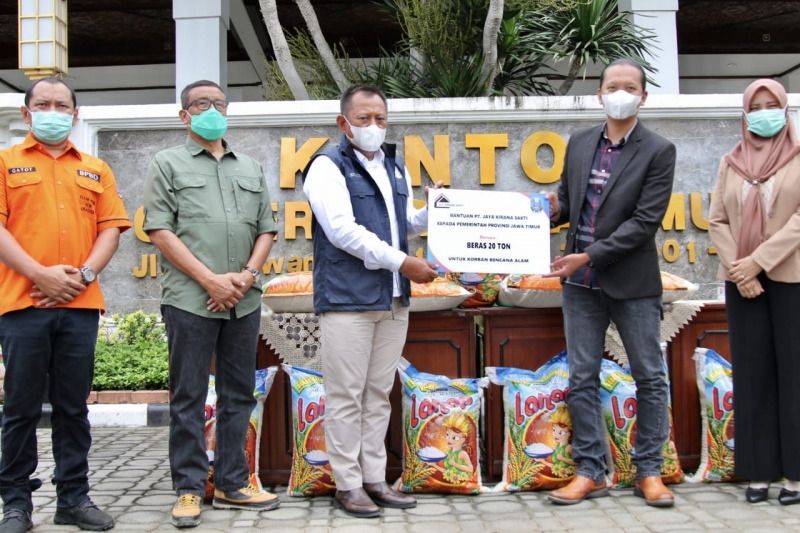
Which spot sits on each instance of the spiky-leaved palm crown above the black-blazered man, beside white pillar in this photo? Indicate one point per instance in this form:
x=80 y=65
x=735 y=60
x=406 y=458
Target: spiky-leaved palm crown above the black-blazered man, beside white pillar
x=592 y=31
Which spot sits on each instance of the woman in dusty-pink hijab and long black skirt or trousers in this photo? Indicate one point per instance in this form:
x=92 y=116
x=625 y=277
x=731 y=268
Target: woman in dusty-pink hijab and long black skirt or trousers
x=755 y=225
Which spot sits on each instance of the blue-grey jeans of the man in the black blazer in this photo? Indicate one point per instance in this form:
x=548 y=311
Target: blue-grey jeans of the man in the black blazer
x=586 y=317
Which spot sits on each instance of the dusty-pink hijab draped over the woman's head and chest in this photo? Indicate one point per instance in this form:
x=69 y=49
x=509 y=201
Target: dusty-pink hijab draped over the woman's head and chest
x=756 y=159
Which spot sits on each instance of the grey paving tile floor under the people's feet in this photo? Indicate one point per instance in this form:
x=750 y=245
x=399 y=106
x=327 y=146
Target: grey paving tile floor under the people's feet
x=130 y=478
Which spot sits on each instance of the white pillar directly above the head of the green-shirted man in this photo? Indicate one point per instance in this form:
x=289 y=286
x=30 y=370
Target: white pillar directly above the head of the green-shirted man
x=201 y=42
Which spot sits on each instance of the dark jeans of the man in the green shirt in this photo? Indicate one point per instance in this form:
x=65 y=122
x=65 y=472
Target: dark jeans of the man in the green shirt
x=193 y=340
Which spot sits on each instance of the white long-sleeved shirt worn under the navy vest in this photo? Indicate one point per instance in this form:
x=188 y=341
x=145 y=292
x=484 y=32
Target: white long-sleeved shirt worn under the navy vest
x=327 y=193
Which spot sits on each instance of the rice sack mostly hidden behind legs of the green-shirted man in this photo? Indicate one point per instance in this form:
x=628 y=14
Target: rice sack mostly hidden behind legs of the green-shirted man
x=263 y=382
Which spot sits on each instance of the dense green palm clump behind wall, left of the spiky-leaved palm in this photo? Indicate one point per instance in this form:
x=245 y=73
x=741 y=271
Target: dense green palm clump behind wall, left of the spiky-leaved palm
x=461 y=48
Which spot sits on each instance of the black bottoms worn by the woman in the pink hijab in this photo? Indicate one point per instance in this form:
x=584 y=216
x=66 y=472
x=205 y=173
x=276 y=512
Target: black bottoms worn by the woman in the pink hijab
x=765 y=344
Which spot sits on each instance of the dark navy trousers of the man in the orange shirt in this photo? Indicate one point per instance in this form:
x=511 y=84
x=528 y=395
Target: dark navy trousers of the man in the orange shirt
x=38 y=342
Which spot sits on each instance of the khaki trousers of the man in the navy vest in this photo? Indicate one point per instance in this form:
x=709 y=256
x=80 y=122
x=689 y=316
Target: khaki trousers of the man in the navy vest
x=361 y=351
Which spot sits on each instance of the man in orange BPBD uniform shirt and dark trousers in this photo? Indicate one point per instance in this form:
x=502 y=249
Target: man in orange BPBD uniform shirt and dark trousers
x=60 y=221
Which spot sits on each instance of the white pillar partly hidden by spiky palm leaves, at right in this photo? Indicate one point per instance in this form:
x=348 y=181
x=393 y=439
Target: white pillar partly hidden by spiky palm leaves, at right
x=658 y=16
